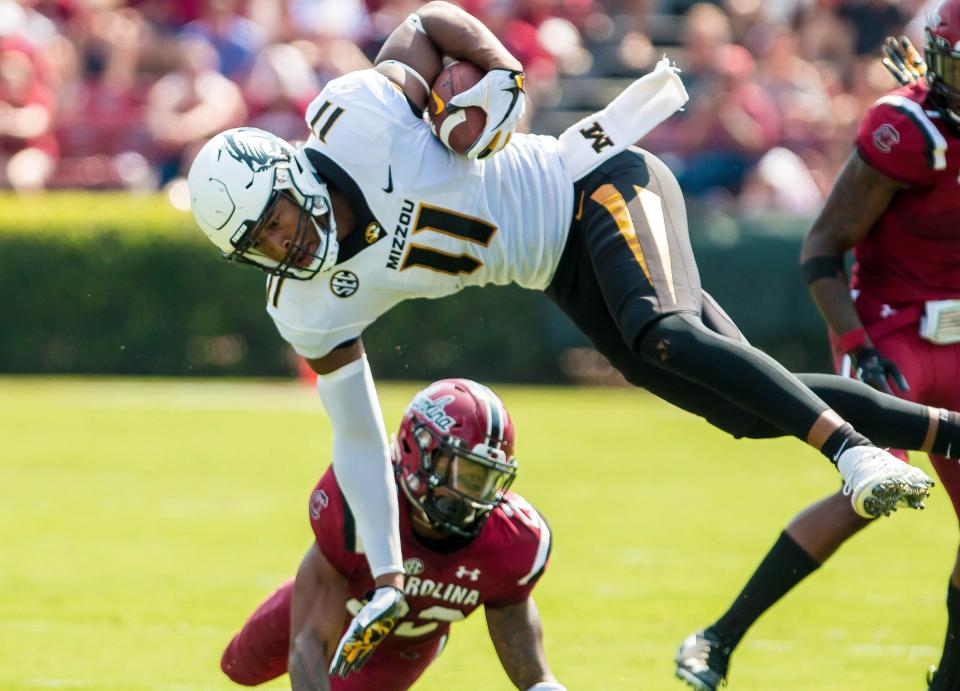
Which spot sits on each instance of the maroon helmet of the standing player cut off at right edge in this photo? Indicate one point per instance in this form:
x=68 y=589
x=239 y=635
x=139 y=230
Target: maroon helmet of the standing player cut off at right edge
x=943 y=59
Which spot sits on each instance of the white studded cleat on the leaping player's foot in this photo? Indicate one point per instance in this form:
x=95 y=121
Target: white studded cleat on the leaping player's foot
x=879 y=483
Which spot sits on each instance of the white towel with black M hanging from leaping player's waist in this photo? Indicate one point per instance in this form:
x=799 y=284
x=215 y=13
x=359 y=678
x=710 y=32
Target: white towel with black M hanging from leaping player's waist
x=630 y=116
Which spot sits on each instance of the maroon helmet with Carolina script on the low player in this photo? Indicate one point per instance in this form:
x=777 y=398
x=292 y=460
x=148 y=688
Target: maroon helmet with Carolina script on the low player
x=454 y=454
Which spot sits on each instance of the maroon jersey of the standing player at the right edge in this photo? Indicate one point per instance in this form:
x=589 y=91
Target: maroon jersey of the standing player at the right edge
x=912 y=253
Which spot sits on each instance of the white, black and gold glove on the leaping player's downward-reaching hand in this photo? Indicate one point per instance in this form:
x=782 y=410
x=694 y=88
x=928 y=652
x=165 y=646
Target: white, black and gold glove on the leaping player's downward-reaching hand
x=371 y=625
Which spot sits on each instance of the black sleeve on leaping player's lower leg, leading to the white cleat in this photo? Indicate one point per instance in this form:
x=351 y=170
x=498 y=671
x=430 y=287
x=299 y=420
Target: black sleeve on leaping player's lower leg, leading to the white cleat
x=745 y=376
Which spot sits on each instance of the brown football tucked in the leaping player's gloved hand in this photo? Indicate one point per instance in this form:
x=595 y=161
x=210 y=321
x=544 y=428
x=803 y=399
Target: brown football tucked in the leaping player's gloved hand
x=458 y=131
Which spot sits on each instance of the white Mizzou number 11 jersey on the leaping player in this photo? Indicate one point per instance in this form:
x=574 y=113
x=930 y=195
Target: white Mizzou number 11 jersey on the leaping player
x=428 y=222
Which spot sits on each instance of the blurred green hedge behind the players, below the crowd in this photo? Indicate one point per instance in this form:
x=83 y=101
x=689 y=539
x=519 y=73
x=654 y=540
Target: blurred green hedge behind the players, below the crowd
x=117 y=284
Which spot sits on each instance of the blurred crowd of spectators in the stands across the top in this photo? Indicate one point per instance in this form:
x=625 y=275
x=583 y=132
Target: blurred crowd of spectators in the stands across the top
x=108 y=94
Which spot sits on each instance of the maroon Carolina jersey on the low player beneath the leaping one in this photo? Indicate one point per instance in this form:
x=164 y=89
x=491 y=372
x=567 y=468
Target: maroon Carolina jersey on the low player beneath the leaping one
x=445 y=580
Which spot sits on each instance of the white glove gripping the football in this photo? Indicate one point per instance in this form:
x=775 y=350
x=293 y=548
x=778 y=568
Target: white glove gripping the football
x=500 y=95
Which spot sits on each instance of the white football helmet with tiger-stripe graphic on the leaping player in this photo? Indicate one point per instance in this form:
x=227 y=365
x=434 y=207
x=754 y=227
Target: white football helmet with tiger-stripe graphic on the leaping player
x=235 y=182
